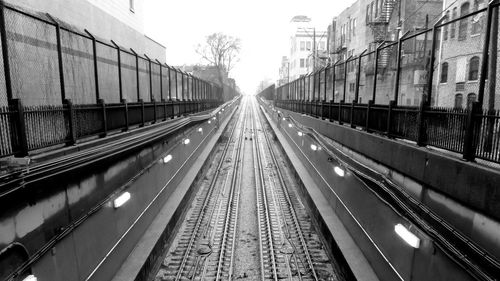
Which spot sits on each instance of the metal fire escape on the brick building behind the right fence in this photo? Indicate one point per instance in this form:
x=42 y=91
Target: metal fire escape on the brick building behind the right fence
x=379 y=26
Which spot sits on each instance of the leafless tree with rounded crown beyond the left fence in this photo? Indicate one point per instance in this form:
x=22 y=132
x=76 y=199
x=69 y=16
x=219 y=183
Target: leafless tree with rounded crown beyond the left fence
x=220 y=50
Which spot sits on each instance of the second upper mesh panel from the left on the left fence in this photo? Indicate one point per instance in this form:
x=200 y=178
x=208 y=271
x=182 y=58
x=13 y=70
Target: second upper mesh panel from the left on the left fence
x=79 y=68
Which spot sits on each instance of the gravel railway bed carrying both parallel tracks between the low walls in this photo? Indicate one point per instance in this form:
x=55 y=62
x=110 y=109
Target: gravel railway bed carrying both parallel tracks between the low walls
x=247 y=220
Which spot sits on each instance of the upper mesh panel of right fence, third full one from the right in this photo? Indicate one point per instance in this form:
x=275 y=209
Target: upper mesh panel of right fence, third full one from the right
x=386 y=74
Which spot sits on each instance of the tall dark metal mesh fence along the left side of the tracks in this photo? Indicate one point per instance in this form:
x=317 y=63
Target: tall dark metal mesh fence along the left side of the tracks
x=59 y=85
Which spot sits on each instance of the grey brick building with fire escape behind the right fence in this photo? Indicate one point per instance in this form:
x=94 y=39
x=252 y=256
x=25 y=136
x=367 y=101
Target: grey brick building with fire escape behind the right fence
x=365 y=25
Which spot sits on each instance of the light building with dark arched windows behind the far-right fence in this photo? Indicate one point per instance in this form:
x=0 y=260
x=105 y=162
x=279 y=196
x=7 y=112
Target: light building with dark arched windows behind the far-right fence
x=456 y=83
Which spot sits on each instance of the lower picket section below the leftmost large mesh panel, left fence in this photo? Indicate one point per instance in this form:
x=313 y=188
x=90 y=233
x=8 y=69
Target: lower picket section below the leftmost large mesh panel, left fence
x=46 y=125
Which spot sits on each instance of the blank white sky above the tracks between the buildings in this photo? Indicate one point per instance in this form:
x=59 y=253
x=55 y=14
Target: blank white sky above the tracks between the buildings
x=262 y=26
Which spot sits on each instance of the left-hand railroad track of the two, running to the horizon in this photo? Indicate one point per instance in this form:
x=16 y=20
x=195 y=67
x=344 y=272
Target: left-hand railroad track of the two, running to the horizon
x=209 y=233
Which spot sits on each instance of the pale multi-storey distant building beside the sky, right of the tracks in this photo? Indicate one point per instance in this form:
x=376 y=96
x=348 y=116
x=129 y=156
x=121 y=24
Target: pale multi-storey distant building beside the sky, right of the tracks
x=306 y=43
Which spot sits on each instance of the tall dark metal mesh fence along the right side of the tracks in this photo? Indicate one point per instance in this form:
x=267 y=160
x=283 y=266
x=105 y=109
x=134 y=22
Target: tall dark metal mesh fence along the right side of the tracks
x=438 y=87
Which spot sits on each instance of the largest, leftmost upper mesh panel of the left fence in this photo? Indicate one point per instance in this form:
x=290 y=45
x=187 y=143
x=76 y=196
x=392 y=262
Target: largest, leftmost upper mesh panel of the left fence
x=33 y=59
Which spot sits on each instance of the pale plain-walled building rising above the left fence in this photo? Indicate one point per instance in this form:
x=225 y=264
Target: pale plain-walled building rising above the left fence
x=120 y=20
